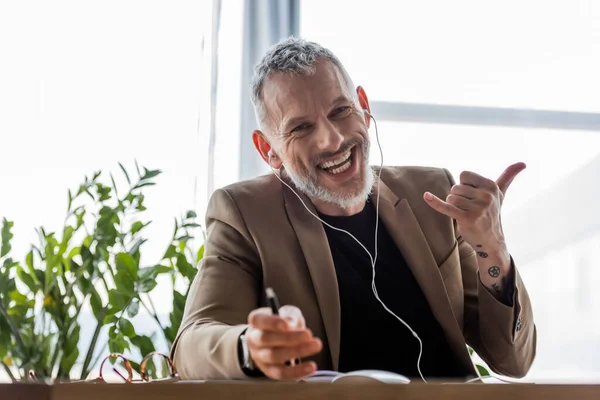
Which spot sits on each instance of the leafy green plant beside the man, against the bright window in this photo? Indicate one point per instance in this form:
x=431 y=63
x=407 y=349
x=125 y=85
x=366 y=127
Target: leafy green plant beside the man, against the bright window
x=93 y=263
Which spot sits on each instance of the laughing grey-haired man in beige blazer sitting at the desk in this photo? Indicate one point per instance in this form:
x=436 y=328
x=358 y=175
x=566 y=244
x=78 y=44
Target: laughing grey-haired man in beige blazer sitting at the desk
x=442 y=265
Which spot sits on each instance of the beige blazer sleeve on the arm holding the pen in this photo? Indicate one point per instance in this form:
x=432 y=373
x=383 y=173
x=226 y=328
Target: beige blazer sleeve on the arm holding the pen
x=222 y=295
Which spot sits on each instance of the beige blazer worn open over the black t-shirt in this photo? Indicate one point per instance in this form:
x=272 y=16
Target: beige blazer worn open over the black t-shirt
x=259 y=234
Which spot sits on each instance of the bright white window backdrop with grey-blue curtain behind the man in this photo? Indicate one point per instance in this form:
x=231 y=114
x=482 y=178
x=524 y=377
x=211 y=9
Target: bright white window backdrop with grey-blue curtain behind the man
x=465 y=85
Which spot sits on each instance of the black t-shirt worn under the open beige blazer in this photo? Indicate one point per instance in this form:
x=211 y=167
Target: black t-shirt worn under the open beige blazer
x=371 y=338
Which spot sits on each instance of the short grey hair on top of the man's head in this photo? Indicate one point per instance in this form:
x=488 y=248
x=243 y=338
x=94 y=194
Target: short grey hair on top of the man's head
x=294 y=56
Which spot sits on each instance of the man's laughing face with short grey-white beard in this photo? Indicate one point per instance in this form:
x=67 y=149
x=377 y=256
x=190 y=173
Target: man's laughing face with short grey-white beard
x=317 y=128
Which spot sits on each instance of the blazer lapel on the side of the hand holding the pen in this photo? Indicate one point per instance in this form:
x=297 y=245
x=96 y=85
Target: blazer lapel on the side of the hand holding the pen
x=315 y=246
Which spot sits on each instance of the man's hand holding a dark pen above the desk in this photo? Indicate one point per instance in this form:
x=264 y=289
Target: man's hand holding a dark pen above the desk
x=277 y=335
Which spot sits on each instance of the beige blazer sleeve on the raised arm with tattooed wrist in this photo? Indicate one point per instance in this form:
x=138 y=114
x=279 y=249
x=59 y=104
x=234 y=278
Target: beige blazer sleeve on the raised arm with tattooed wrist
x=503 y=336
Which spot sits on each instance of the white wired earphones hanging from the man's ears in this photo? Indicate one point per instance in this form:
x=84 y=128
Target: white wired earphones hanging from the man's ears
x=271 y=154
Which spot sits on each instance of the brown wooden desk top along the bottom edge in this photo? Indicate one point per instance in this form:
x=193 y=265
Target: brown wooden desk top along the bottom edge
x=296 y=391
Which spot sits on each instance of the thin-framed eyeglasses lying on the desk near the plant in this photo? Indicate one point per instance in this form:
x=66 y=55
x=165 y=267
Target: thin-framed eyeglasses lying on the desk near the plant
x=143 y=367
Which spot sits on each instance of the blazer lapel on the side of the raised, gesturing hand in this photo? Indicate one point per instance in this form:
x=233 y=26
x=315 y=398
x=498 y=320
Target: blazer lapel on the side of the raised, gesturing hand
x=404 y=228
